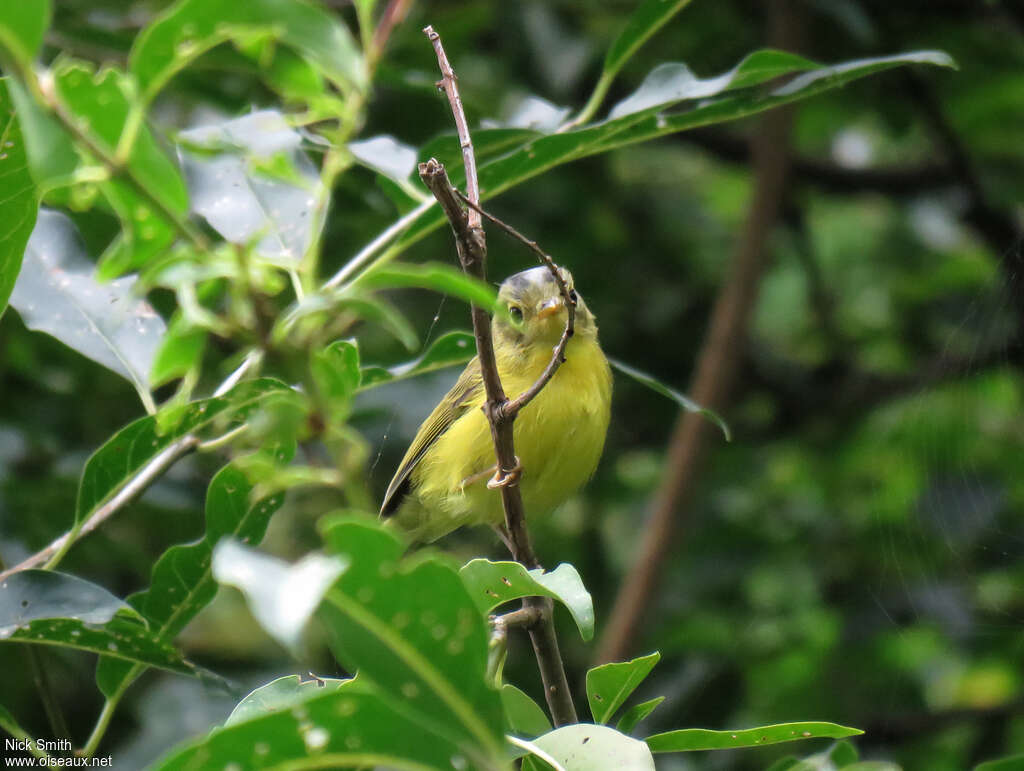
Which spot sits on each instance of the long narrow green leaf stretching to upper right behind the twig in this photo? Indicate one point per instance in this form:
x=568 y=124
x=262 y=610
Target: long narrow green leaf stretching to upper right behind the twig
x=545 y=153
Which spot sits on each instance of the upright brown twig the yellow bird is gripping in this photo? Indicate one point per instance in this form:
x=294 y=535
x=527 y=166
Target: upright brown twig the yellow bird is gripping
x=472 y=246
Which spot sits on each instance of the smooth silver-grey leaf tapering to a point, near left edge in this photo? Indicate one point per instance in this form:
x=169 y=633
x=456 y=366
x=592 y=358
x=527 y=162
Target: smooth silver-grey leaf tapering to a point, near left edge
x=57 y=293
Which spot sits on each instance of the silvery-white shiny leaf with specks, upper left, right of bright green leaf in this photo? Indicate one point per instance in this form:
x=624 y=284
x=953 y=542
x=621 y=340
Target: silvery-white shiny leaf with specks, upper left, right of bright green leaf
x=244 y=203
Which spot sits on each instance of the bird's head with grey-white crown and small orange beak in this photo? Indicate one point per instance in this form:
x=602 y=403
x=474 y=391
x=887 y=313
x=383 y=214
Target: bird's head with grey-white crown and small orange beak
x=537 y=309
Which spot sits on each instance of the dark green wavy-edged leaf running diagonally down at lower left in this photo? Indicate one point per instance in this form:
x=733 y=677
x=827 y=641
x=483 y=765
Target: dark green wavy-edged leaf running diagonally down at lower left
x=183 y=583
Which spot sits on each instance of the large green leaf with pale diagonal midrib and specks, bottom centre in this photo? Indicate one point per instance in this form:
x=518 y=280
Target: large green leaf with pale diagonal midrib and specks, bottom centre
x=411 y=628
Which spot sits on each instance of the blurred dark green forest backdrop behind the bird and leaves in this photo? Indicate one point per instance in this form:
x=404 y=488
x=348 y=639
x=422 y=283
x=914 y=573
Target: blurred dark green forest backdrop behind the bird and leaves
x=854 y=555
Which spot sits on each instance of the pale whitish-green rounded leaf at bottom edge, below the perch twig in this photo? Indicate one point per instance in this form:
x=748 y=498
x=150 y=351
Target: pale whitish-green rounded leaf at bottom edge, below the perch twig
x=589 y=748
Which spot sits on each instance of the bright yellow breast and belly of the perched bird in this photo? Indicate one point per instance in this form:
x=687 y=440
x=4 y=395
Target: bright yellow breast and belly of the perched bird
x=559 y=439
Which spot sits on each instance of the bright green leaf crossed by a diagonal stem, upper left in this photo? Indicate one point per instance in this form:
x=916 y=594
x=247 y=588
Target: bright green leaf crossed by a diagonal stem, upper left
x=102 y=103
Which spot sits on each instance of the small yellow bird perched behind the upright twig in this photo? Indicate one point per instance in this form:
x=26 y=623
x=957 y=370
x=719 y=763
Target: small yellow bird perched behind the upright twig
x=442 y=483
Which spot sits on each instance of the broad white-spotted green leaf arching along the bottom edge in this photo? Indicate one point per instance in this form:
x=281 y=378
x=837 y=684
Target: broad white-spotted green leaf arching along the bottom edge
x=354 y=726
